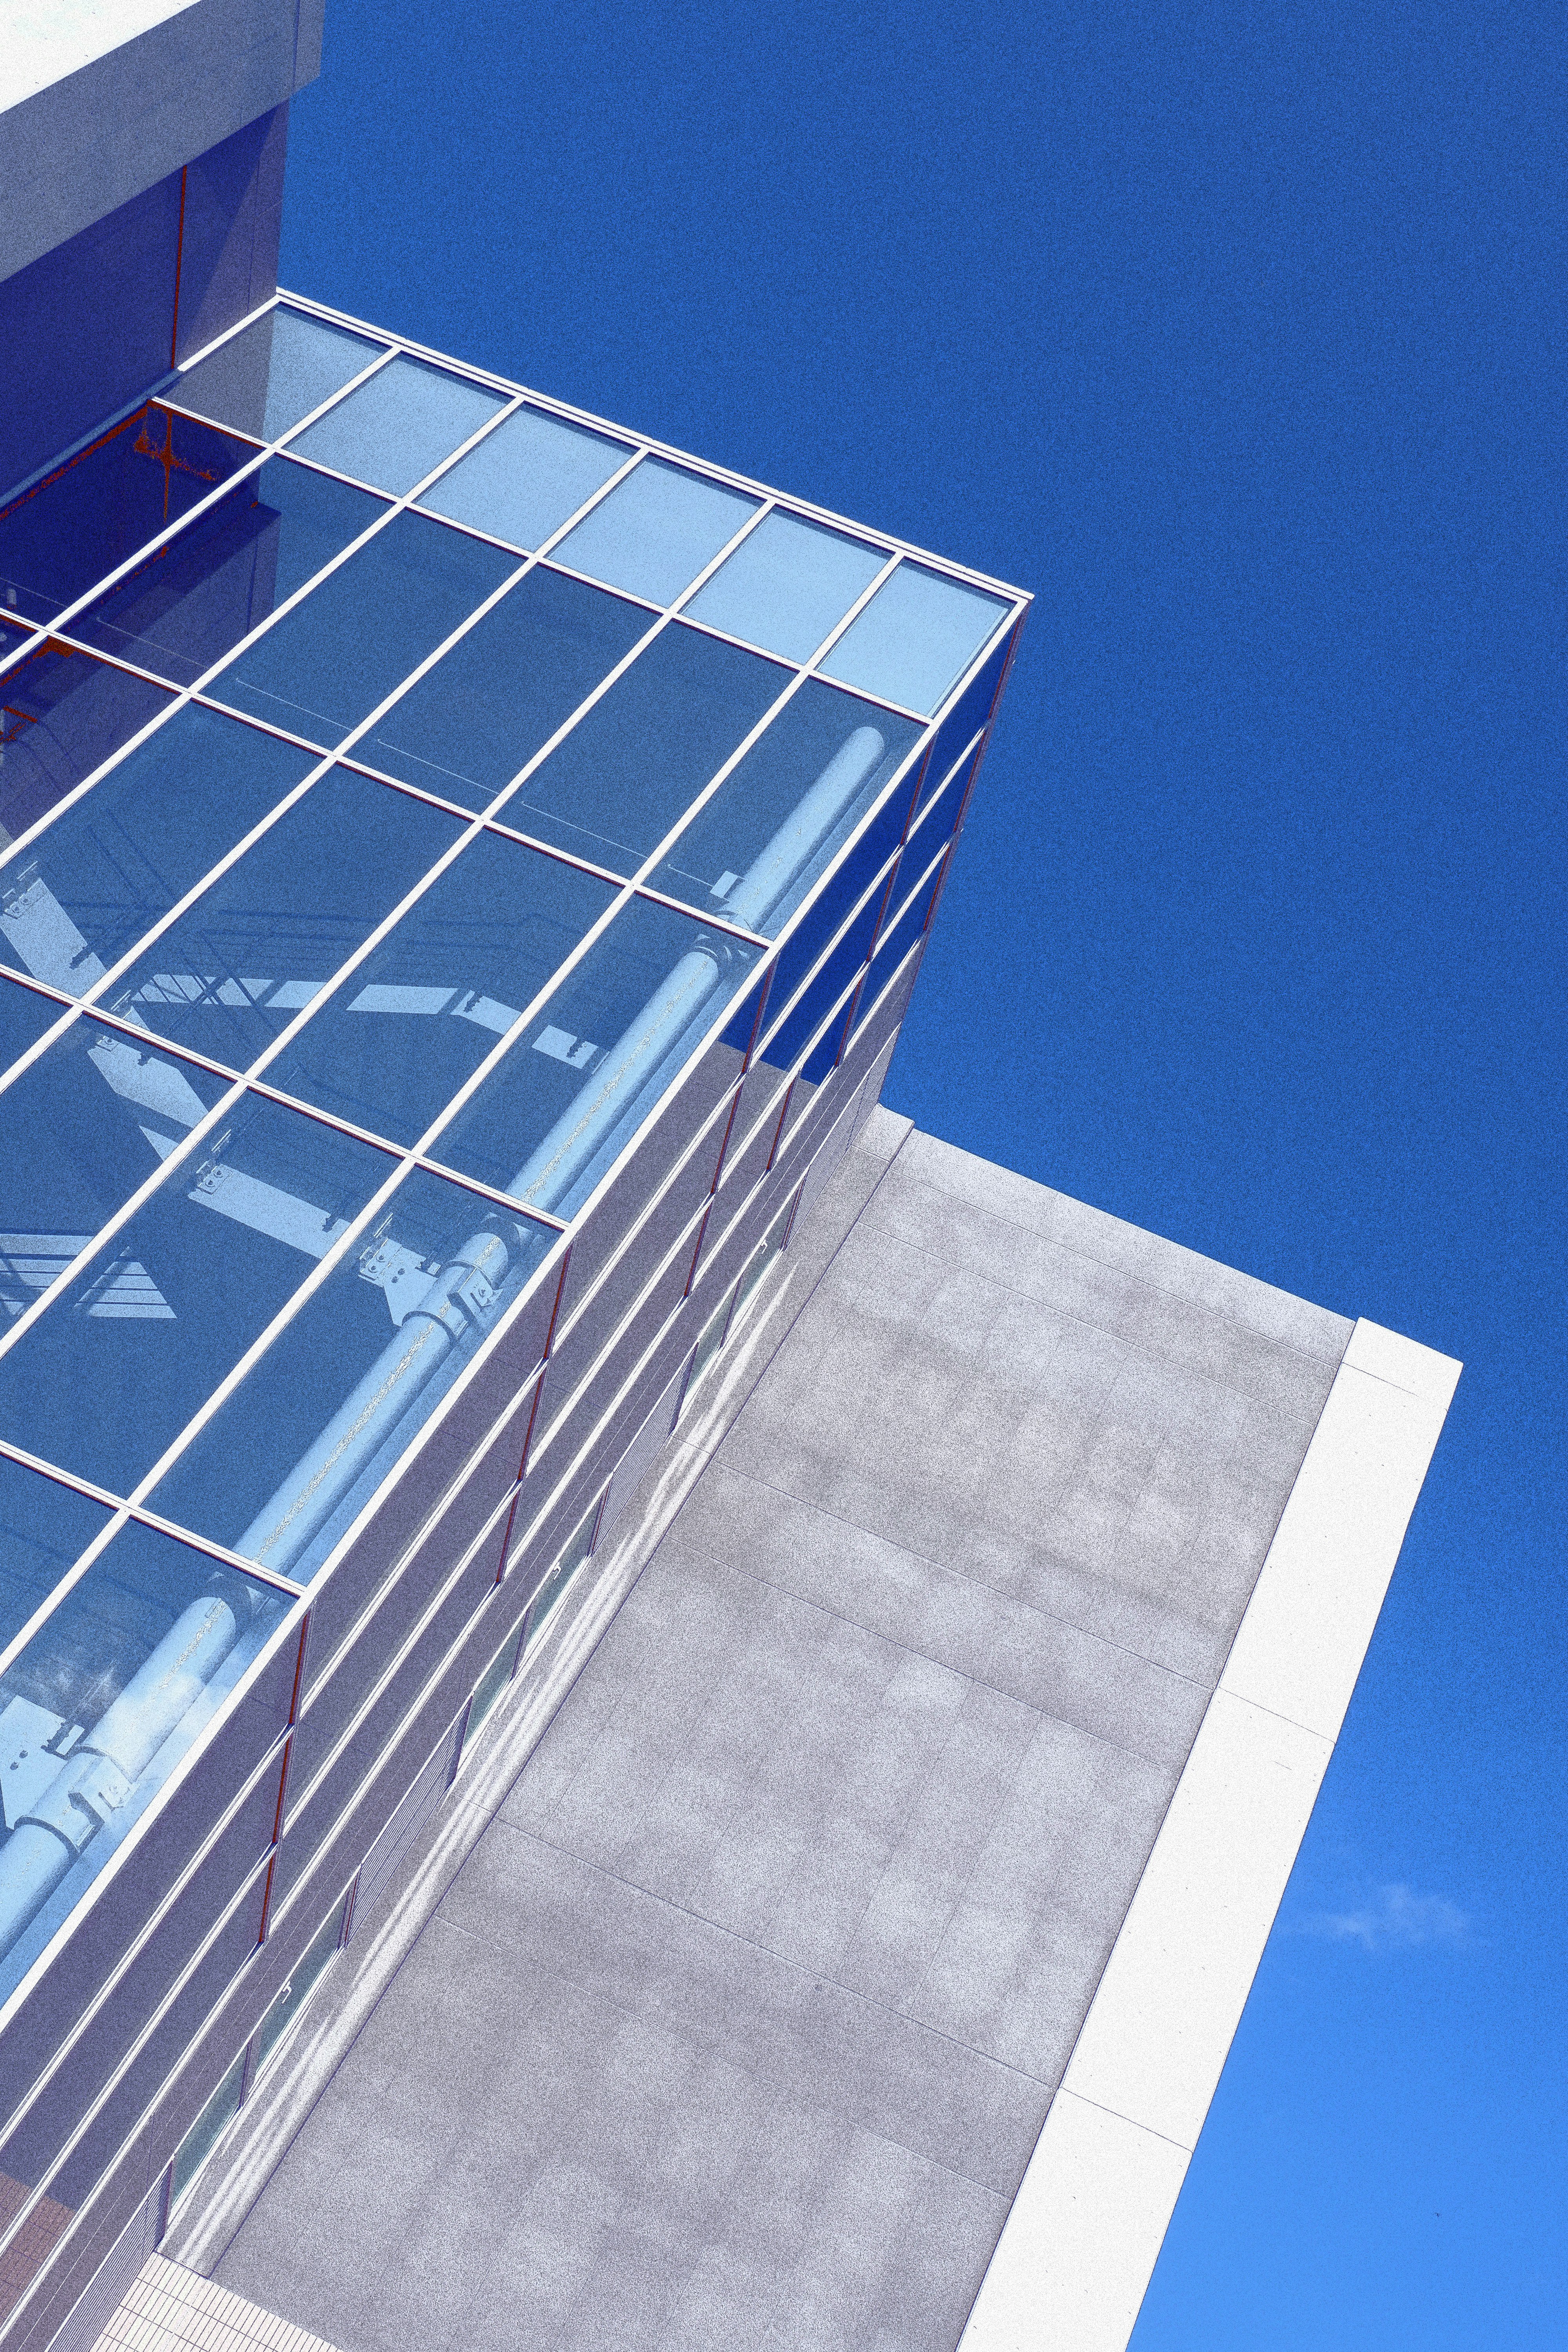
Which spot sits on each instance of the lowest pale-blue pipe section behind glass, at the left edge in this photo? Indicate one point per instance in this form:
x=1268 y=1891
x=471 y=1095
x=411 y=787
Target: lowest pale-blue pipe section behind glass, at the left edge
x=102 y=1772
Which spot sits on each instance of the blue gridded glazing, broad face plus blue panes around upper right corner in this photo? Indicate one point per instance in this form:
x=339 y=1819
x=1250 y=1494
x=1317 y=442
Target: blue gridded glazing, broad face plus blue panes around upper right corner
x=401 y=782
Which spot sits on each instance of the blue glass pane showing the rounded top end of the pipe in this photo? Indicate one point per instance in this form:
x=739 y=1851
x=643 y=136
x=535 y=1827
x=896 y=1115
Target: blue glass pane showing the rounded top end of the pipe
x=782 y=817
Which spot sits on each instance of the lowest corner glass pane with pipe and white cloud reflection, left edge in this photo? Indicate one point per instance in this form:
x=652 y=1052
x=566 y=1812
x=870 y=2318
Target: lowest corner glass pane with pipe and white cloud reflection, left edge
x=100 y=1709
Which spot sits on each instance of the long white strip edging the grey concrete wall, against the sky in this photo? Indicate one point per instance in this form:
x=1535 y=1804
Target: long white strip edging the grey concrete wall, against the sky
x=1094 y=2205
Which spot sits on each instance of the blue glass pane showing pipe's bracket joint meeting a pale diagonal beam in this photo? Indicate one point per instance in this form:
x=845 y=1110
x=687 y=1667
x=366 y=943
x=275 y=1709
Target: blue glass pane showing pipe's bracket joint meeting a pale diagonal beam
x=323 y=1417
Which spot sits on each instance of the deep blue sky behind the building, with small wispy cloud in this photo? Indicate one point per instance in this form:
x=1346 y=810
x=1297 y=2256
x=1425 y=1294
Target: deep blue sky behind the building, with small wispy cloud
x=1240 y=338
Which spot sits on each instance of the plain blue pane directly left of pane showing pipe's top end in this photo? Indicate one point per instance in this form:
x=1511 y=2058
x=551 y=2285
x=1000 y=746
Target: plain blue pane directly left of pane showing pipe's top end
x=617 y=784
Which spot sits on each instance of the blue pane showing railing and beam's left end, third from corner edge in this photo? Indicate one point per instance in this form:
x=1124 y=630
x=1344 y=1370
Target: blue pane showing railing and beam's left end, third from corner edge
x=279 y=923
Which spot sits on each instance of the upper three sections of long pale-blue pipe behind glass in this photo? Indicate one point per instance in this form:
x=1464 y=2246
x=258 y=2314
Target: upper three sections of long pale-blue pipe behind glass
x=467 y=1292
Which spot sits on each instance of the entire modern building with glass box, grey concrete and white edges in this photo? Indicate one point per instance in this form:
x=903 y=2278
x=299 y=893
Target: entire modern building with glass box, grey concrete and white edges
x=464 y=871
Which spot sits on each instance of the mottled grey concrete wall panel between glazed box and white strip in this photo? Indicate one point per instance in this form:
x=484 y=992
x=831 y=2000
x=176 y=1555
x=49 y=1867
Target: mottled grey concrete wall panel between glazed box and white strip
x=744 y=2017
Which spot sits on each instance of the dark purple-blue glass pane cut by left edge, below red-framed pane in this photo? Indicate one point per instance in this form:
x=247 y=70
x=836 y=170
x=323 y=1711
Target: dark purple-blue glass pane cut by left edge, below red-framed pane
x=62 y=716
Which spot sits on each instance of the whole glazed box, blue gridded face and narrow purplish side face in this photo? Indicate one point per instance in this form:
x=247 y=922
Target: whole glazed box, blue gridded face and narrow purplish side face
x=455 y=864
